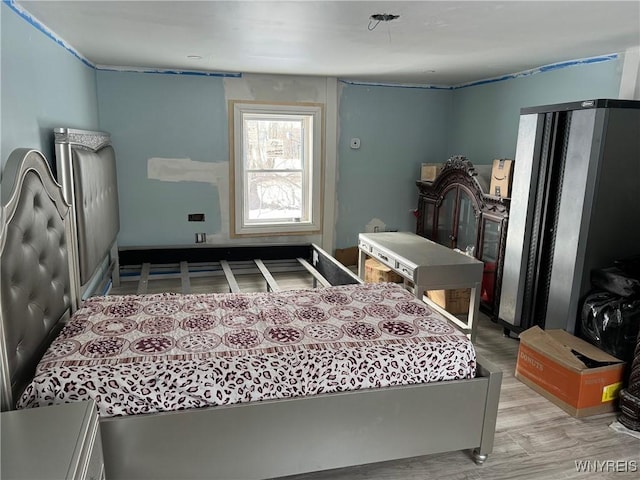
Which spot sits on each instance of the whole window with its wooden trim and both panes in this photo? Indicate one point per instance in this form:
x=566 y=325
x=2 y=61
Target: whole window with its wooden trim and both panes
x=276 y=168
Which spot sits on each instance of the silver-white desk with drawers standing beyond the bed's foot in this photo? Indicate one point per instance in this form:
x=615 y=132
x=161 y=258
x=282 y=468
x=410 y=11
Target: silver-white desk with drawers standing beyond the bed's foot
x=429 y=266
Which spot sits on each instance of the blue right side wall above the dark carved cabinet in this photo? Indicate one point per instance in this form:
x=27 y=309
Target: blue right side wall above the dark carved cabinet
x=485 y=117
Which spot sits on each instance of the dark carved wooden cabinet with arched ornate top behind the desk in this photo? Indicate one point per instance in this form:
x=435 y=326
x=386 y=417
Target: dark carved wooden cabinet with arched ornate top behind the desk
x=455 y=211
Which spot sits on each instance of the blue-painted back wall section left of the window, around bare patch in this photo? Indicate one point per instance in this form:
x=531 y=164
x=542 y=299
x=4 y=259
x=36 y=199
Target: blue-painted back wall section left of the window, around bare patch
x=167 y=116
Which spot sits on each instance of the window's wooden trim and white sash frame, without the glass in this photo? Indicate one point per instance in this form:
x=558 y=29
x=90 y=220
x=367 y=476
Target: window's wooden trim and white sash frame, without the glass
x=238 y=173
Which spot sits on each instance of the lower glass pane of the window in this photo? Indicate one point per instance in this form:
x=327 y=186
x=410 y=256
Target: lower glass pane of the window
x=275 y=197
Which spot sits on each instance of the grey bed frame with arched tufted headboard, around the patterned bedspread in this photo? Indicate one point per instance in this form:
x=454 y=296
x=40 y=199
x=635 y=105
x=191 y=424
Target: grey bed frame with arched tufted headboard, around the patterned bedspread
x=245 y=441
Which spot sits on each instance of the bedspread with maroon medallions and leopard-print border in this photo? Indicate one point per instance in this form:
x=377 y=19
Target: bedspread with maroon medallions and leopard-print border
x=141 y=354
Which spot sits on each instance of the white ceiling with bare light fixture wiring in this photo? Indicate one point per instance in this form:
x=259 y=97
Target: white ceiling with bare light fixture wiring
x=432 y=43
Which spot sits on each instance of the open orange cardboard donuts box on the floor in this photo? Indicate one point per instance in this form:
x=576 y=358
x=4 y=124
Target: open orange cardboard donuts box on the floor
x=554 y=364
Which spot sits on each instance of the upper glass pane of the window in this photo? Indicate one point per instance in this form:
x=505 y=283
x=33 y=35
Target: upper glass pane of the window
x=273 y=144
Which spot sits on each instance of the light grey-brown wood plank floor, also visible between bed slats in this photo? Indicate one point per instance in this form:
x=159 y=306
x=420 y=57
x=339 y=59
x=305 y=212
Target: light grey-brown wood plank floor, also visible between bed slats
x=535 y=439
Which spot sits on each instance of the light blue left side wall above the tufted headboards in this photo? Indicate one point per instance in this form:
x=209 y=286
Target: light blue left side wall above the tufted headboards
x=43 y=86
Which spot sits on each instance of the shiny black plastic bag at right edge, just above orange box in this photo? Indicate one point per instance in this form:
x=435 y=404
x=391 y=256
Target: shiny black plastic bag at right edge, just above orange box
x=611 y=323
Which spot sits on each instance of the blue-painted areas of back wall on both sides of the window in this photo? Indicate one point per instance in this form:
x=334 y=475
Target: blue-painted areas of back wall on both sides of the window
x=175 y=116
